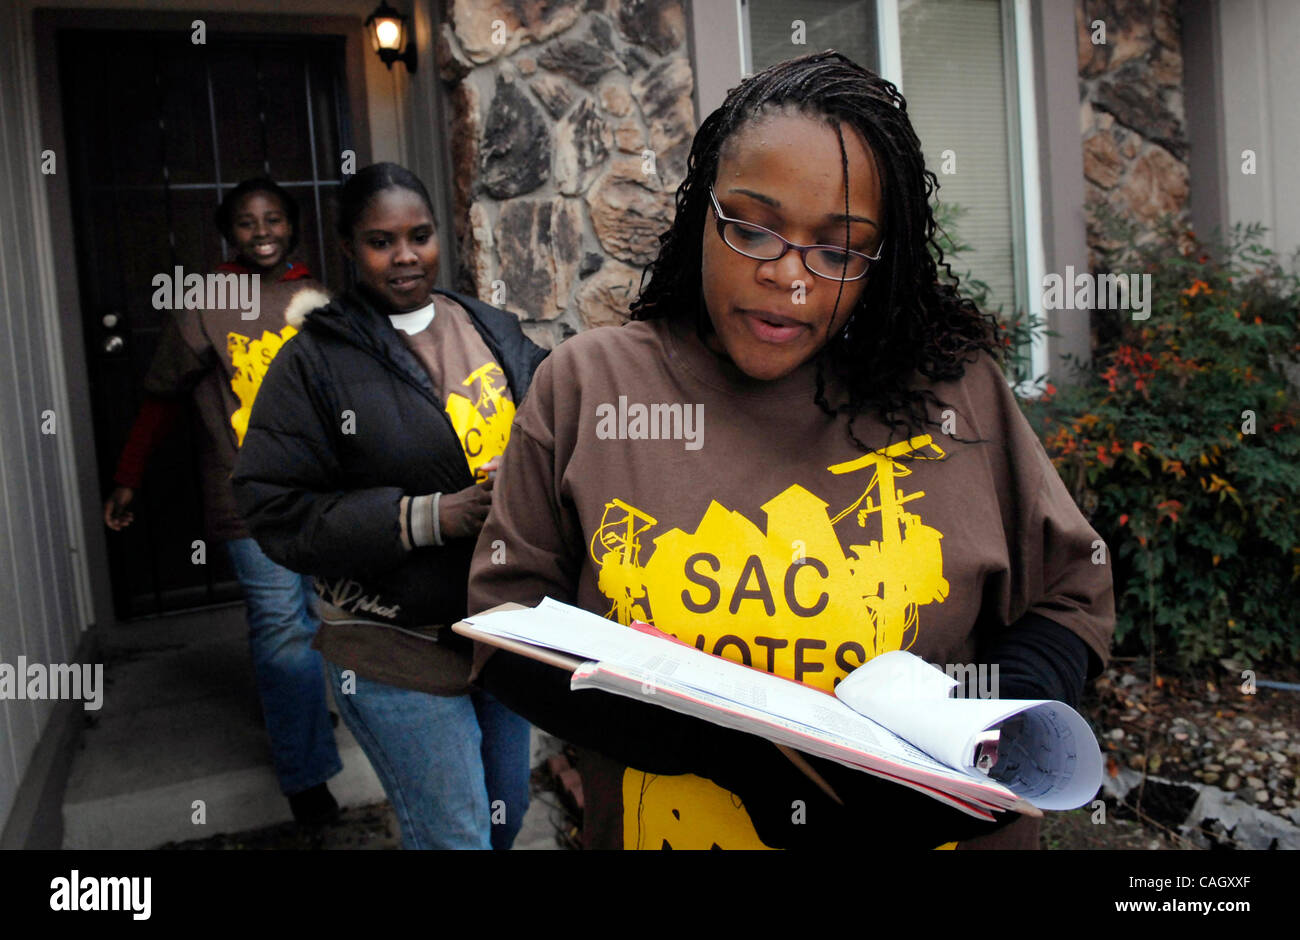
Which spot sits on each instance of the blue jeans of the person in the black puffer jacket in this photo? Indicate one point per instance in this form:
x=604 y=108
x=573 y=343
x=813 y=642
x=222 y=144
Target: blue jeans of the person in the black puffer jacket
x=454 y=768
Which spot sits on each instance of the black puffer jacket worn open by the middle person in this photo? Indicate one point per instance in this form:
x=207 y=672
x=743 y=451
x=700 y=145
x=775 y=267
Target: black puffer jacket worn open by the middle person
x=346 y=423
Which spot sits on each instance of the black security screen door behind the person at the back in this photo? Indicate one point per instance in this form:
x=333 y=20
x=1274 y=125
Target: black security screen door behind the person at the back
x=159 y=129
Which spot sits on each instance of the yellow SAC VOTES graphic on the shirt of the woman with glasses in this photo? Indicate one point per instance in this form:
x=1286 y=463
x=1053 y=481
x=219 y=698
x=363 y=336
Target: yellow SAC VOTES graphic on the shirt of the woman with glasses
x=791 y=599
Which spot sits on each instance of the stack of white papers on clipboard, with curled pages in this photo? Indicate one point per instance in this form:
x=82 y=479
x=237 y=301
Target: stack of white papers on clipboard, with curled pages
x=898 y=721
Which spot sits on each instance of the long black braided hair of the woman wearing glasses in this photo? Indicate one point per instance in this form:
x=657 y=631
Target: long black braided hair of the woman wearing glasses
x=908 y=320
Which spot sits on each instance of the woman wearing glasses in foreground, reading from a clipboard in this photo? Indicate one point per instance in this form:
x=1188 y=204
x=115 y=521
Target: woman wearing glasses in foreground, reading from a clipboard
x=851 y=475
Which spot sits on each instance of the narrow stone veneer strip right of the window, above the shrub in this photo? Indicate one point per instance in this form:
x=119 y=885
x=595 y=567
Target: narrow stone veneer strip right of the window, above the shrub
x=1132 y=115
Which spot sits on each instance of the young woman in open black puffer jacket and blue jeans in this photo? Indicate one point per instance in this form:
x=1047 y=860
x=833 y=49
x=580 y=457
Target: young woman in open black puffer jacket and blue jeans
x=369 y=465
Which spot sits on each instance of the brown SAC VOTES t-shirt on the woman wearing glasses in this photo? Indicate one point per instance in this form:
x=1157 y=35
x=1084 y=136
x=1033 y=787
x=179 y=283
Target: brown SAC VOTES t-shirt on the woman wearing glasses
x=651 y=479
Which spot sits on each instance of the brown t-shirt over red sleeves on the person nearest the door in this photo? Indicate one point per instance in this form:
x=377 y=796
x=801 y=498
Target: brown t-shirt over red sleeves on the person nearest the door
x=222 y=356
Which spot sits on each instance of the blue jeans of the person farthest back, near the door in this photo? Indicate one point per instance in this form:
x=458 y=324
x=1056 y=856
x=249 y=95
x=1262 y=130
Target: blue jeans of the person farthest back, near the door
x=291 y=681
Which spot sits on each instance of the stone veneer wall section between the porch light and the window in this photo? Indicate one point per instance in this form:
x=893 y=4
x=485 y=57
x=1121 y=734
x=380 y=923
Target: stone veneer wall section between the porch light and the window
x=571 y=127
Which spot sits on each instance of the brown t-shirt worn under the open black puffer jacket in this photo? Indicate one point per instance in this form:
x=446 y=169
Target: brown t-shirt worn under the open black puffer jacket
x=478 y=400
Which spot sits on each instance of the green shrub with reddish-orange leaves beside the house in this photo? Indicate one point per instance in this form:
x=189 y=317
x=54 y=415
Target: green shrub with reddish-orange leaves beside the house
x=1180 y=441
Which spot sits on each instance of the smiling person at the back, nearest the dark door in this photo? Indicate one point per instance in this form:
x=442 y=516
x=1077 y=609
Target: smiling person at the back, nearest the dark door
x=218 y=358
